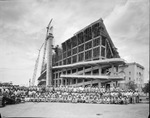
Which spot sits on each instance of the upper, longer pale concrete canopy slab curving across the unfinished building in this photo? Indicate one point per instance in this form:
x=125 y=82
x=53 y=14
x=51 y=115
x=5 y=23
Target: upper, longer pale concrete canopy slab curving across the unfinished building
x=117 y=61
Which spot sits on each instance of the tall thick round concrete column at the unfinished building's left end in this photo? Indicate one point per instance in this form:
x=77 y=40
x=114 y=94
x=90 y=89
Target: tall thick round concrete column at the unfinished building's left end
x=49 y=60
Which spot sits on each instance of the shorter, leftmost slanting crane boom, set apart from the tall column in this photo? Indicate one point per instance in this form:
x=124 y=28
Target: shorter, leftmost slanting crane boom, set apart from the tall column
x=36 y=66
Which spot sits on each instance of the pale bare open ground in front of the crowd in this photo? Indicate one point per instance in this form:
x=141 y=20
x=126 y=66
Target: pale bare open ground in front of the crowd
x=79 y=110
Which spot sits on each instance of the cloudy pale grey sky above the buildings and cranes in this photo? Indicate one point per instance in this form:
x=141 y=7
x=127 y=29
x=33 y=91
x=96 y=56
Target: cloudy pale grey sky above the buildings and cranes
x=23 y=29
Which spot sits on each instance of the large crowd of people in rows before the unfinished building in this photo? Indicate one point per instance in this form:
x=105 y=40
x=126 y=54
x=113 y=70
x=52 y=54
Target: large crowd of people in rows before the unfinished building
x=70 y=94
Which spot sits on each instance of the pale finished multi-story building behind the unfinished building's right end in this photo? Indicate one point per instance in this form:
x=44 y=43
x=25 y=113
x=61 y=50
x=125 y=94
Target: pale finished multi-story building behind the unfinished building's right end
x=133 y=72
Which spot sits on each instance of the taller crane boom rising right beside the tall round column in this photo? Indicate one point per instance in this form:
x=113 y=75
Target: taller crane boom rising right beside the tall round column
x=49 y=28
